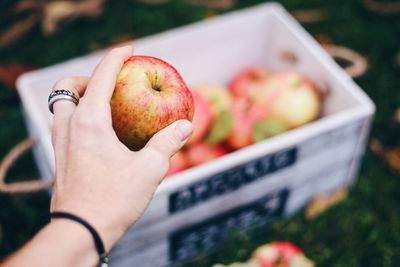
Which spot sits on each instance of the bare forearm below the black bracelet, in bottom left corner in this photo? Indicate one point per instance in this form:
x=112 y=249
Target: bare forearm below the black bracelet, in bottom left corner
x=61 y=243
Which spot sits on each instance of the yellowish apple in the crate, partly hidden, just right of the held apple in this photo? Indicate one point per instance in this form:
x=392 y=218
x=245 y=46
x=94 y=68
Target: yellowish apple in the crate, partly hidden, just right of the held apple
x=218 y=97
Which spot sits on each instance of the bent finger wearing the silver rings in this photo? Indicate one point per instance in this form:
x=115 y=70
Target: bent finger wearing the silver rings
x=63 y=111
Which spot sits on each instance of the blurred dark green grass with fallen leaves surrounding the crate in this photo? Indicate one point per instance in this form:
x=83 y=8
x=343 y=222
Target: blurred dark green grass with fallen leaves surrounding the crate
x=362 y=230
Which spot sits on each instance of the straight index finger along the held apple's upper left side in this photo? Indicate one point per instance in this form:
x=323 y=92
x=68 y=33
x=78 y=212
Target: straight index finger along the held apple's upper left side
x=102 y=83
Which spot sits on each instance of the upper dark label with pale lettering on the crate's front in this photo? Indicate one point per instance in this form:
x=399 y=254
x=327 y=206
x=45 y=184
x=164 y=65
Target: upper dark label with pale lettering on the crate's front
x=230 y=180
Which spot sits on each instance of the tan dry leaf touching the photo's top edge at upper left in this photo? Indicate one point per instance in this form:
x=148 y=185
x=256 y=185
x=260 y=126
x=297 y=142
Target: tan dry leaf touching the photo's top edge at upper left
x=60 y=11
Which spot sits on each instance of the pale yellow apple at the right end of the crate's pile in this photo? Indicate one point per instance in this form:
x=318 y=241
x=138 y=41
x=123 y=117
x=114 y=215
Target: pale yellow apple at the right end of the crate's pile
x=289 y=97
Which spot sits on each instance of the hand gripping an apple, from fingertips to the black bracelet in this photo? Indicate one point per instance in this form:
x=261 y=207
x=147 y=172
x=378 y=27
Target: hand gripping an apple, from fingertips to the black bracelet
x=97 y=177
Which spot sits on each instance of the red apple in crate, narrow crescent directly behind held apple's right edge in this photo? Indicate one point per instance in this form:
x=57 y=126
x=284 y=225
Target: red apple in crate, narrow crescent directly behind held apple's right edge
x=202 y=119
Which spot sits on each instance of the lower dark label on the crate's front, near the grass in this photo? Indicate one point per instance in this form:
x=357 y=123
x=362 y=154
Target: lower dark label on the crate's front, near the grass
x=193 y=240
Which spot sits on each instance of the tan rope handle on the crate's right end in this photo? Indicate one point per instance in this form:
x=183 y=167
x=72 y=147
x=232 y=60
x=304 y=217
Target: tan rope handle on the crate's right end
x=358 y=64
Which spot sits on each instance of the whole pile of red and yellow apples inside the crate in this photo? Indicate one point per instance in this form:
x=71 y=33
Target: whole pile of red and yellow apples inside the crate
x=255 y=105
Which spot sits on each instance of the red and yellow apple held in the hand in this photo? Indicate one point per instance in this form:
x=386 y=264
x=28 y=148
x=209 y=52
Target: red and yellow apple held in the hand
x=149 y=95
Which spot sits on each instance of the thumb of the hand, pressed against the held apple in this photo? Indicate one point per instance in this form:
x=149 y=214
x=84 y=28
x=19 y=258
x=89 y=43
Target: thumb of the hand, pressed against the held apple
x=170 y=139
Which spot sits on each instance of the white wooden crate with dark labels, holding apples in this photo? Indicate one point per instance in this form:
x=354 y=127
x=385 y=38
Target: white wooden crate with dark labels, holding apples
x=315 y=158
